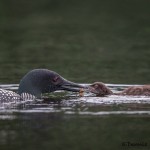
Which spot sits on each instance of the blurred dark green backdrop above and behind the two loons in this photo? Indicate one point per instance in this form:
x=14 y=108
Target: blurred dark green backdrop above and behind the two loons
x=84 y=41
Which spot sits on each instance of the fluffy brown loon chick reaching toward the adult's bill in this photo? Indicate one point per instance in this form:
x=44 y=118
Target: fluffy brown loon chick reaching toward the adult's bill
x=100 y=89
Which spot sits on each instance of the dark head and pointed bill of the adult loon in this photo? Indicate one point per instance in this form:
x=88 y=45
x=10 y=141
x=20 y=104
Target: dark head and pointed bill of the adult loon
x=40 y=81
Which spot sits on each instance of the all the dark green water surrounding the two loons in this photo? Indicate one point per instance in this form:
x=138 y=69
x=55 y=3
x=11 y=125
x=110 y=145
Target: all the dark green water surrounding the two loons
x=84 y=41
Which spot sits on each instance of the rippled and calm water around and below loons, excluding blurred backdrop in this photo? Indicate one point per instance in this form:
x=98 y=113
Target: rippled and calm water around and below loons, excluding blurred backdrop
x=67 y=121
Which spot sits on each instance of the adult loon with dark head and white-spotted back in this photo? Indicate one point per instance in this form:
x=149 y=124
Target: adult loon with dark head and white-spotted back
x=35 y=83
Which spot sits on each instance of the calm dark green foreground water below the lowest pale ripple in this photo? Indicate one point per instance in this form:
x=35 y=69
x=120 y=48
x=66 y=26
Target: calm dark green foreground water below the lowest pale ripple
x=64 y=132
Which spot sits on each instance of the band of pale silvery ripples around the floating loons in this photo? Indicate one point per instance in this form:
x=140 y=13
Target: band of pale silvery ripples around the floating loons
x=72 y=103
